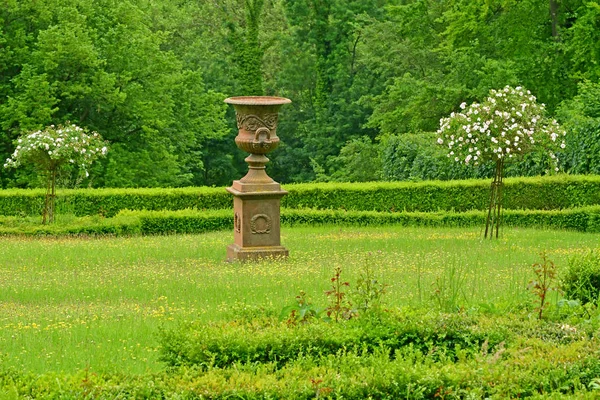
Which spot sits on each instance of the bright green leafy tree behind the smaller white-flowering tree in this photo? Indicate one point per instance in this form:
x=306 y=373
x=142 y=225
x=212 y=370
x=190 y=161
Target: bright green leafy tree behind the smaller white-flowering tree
x=101 y=64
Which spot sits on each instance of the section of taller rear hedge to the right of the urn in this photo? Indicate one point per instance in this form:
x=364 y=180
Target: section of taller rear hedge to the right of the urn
x=538 y=193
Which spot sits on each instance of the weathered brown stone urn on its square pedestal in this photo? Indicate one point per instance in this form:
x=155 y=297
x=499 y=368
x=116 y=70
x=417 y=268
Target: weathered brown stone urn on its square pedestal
x=256 y=197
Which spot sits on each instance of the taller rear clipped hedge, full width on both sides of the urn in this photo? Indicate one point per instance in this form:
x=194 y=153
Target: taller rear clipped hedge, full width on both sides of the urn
x=538 y=193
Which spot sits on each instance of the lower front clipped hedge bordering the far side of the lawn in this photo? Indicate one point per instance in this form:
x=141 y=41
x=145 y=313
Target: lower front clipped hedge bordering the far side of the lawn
x=583 y=219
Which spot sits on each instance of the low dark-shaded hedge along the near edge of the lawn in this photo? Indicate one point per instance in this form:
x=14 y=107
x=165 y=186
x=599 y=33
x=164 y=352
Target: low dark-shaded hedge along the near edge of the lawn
x=443 y=337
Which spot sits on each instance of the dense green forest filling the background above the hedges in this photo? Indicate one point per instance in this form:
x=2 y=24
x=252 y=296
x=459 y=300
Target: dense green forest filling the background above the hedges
x=369 y=81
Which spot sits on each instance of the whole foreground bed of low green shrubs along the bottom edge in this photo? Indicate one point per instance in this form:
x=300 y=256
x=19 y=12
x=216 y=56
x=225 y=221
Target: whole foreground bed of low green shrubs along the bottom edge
x=408 y=355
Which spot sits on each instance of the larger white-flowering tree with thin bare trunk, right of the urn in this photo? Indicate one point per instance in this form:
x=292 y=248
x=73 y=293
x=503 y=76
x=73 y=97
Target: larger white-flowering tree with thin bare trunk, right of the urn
x=507 y=125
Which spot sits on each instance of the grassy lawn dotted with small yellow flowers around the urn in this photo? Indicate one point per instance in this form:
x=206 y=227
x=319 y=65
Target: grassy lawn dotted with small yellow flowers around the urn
x=69 y=304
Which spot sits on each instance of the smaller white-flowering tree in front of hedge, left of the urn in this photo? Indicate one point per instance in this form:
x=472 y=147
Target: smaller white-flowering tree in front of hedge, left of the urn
x=51 y=149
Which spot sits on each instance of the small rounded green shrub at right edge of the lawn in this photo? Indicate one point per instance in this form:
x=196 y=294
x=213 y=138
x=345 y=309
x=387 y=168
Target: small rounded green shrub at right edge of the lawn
x=582 y=279
